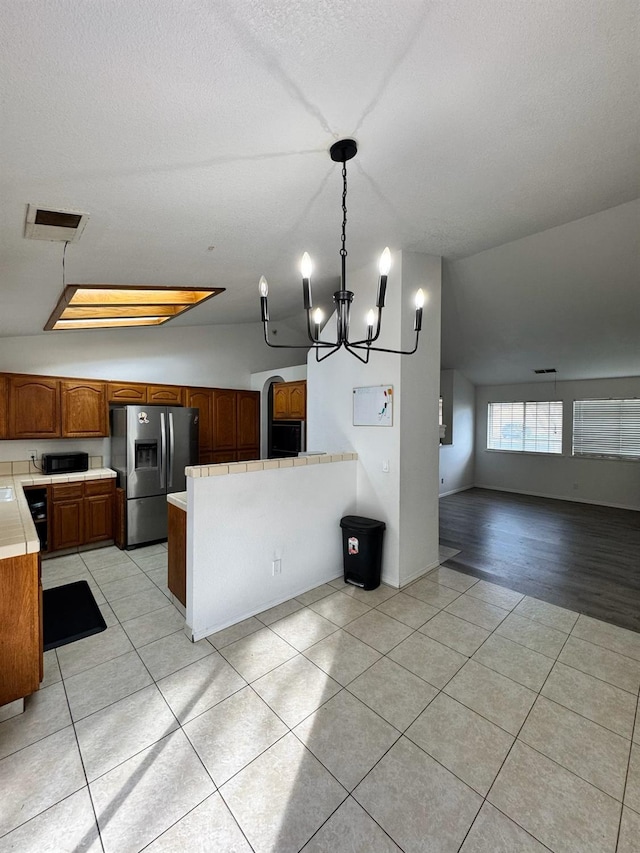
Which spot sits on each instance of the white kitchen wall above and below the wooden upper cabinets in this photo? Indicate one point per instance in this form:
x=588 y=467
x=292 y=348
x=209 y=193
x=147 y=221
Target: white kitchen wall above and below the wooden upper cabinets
x=223 y=356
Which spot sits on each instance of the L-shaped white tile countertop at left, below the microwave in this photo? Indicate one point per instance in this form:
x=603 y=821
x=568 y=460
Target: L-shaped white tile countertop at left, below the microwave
x=17 y=531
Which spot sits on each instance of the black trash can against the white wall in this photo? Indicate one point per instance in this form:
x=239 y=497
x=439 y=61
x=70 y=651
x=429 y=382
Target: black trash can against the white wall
x=362 y=550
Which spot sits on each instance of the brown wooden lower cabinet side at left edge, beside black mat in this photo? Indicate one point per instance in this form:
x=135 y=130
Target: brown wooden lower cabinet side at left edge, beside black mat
x=20 y=627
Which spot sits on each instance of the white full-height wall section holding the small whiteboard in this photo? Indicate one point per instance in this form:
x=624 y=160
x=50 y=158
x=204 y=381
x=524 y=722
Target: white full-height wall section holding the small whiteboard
x=406 y=497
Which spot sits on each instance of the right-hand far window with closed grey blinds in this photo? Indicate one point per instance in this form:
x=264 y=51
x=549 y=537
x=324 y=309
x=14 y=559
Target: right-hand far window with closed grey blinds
x=606 y=428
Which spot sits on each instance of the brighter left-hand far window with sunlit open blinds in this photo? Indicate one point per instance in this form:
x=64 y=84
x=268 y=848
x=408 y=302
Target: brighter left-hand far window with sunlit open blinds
x=532 y=427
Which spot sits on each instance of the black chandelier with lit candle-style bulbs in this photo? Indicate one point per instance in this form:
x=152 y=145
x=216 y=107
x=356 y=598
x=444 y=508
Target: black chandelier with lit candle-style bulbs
x=341 y=151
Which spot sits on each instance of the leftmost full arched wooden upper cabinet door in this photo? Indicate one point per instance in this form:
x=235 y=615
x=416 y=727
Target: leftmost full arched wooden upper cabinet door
x=34 y=407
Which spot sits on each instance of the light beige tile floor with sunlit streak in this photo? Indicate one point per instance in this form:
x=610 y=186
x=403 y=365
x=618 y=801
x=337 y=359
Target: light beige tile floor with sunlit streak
x=455 y=715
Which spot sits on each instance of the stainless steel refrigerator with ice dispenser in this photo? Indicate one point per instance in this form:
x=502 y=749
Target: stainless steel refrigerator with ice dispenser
x=150 y=448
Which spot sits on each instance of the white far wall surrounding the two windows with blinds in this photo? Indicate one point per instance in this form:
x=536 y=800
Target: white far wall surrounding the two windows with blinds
x=600 y=481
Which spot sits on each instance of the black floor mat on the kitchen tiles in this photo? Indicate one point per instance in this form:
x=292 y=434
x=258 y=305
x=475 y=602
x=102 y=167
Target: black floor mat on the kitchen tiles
x=70 y=613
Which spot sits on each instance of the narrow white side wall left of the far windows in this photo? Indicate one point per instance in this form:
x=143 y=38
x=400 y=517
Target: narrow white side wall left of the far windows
x=457 y=458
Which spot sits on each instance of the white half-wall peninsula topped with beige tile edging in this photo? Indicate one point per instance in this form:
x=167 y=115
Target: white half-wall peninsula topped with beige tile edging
x=260 y=533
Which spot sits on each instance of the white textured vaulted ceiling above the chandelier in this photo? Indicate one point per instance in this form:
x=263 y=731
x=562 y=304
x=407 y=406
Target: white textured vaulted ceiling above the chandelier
x=184 y=124
